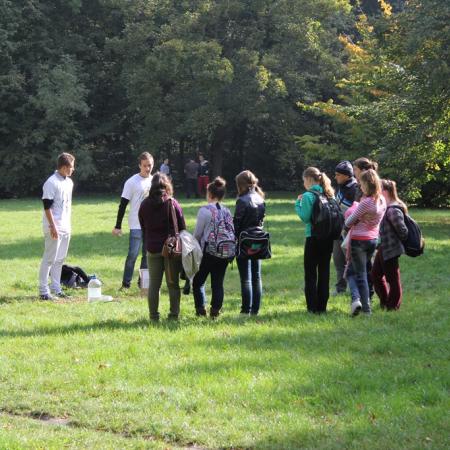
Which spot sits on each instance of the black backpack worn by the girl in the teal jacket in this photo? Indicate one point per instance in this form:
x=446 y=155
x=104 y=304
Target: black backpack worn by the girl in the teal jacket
x=327 y=219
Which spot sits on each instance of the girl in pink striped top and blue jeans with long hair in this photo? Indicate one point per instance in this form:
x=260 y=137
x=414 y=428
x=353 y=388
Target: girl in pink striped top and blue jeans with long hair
x=363 y=224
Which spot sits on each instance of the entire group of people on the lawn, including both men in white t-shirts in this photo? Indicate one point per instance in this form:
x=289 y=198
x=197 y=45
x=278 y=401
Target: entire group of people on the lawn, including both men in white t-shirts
x=374 y=219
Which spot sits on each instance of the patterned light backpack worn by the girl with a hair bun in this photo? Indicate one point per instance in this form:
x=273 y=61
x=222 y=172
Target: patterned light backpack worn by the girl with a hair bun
x=221 y=241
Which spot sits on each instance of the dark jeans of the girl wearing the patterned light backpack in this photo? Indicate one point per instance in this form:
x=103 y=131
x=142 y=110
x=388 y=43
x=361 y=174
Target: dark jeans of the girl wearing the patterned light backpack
x=216 y=267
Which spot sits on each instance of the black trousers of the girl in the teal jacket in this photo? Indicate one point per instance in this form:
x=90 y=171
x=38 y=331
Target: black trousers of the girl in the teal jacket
x=316 y=263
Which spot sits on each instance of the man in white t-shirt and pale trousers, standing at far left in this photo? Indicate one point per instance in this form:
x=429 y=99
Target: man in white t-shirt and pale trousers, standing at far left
x=56 y=222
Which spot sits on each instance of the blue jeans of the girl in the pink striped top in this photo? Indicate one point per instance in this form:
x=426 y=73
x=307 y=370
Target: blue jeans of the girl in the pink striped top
x=362 y=252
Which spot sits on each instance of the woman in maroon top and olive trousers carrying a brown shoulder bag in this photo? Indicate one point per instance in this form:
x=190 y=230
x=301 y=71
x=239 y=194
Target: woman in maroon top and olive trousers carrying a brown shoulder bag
x=155 y=217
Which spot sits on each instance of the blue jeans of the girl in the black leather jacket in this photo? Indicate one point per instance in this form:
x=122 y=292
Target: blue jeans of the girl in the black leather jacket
x=251 y=284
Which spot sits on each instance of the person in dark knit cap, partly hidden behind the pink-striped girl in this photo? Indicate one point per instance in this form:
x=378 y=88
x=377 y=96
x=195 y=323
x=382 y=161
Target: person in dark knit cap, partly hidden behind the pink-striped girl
x=345 y=196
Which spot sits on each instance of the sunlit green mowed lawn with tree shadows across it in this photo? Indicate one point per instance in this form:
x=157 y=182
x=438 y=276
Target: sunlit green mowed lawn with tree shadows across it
x=80 y=375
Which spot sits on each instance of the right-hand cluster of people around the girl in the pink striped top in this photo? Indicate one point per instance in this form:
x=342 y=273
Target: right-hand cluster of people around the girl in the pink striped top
x=374 y=221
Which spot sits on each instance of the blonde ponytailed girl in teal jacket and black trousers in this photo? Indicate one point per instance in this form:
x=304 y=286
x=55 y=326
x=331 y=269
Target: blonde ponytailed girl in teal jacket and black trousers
x=317 y=252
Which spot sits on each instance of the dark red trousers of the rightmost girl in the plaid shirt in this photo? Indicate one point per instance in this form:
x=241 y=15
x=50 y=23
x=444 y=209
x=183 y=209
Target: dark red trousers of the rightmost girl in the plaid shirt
x=386 y=281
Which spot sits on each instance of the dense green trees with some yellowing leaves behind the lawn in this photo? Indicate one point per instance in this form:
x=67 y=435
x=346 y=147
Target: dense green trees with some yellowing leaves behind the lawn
x=270 y=85
